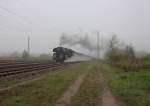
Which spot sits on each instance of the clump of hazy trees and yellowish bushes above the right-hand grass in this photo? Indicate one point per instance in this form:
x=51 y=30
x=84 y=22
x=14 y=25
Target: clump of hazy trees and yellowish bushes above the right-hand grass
x=125 y=57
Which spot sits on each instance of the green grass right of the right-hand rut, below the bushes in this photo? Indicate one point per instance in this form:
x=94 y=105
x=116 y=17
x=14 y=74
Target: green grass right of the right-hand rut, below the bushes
x=131 y=88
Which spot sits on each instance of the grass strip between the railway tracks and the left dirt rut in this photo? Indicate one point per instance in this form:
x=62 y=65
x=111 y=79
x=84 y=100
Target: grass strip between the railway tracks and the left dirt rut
x=43 y=92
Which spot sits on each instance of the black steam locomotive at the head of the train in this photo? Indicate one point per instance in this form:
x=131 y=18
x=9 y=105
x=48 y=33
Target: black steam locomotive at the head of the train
x=60 y=54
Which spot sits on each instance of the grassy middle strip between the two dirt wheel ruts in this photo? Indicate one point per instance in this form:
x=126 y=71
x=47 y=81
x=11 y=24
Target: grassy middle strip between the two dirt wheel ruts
x=90 y=91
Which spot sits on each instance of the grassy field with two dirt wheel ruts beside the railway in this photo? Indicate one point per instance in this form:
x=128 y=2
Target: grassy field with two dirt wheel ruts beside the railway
x=84 y=84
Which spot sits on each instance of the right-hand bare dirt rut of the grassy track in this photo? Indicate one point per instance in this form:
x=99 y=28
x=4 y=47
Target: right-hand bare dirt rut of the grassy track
x=107 y=99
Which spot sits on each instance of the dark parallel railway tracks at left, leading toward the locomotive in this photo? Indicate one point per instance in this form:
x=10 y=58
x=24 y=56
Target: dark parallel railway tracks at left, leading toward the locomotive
x=10 y=68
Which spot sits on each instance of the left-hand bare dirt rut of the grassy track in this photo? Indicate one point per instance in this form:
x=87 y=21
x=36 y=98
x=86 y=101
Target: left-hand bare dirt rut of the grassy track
x=66 y=98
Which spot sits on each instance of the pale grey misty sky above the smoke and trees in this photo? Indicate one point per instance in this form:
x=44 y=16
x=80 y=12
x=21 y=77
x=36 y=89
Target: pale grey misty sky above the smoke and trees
x=45 y=20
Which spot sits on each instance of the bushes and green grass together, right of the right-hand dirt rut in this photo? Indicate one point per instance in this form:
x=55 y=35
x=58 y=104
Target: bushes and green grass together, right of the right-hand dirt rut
x=127 y=74
